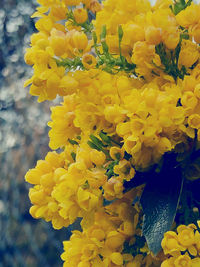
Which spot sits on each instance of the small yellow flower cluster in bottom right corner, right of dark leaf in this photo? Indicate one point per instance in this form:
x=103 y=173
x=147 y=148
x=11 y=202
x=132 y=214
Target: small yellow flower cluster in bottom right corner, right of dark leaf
x=182 y=246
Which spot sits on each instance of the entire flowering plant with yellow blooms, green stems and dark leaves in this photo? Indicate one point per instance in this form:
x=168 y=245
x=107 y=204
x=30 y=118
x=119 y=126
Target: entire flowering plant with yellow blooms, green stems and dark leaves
x=126 y=136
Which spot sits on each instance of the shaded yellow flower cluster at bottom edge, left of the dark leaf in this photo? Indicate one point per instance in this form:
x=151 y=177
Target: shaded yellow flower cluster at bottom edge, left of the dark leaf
x=101 y=245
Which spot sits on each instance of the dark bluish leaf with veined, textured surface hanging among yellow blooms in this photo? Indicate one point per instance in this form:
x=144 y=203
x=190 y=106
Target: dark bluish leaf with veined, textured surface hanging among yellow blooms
x=159 y=201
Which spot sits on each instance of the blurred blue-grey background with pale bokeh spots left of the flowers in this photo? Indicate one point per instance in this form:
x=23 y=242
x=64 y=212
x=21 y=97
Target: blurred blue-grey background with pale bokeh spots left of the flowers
x=24 y=241
